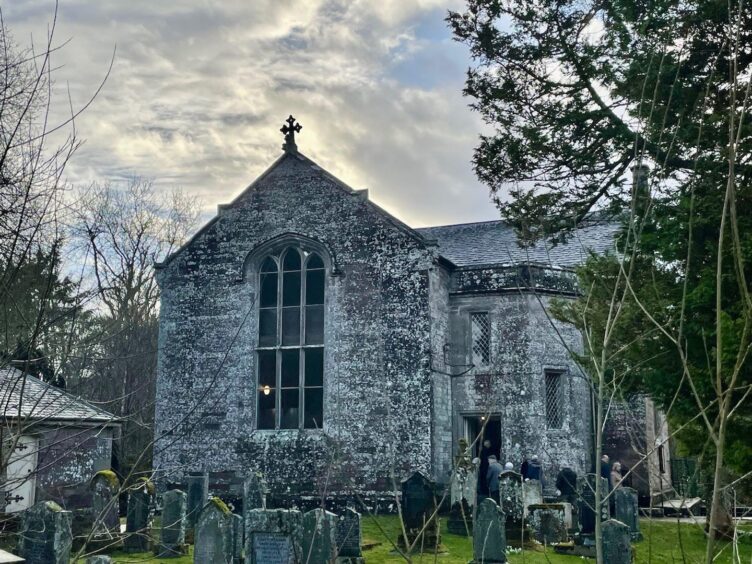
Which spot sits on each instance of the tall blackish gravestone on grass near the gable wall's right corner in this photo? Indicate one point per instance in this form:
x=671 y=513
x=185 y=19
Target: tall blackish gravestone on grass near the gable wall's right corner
x=418 y=505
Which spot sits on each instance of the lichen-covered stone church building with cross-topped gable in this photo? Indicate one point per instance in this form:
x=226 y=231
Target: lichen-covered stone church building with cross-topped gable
x=307 y=334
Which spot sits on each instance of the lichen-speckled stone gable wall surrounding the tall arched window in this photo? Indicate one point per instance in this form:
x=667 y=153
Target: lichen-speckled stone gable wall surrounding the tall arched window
x=378 y=343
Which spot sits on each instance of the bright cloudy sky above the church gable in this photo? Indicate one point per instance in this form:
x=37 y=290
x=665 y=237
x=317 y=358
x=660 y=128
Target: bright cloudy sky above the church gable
x=199 y=90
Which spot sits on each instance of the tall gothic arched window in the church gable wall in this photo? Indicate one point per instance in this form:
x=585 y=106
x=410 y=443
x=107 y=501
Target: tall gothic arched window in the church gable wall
x=291 y=341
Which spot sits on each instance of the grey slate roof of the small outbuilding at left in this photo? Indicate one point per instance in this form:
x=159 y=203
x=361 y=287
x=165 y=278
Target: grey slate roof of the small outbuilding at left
x=42 y=401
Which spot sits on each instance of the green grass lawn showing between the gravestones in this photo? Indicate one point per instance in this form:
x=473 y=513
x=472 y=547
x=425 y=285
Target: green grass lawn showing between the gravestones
x=663 y=543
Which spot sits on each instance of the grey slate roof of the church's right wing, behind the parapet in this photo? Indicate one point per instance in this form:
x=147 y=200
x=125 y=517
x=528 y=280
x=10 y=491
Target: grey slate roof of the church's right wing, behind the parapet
x=495 y=243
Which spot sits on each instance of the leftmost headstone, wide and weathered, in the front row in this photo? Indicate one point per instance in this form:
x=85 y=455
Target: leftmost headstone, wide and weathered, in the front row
x=46 y=534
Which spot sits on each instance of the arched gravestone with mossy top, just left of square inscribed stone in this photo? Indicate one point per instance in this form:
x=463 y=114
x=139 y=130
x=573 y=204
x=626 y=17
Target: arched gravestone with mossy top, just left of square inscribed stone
x=214 y=534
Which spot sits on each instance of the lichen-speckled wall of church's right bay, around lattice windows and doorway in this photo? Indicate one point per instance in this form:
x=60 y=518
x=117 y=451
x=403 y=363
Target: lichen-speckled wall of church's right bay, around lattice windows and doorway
x=524 y=344
